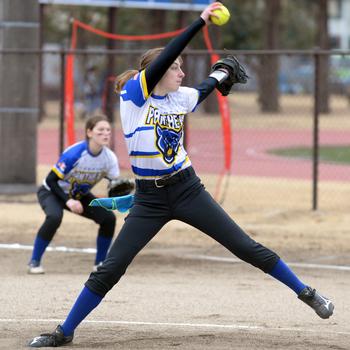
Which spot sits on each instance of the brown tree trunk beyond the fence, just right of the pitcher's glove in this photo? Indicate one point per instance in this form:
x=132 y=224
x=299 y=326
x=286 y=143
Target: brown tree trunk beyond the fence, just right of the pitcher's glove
x=269 y=64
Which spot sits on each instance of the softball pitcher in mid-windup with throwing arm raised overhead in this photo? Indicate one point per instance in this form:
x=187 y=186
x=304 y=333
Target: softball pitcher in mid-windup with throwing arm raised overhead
x=153 y=106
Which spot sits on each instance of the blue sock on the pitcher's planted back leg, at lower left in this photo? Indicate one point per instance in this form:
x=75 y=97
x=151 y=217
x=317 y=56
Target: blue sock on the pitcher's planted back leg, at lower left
x=85 y=303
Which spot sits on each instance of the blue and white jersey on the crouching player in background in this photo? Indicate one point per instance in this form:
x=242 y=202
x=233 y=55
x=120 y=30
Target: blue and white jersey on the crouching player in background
x=79 y=170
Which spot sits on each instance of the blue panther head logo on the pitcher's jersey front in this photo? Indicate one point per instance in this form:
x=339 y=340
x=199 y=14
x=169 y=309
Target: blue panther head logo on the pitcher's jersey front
x=168 y=142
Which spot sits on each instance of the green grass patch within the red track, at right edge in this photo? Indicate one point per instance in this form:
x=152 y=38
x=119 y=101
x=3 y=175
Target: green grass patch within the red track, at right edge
x=331 y=154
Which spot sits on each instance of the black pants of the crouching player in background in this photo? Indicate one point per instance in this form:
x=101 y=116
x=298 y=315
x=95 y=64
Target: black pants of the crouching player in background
x=54 y=206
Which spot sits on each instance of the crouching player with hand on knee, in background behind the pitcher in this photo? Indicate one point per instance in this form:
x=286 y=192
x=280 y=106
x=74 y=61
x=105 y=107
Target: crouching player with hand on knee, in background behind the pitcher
x=68 y=185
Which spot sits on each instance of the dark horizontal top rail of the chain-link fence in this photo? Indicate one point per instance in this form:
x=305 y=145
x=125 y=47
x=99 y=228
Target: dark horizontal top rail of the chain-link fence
x=313 y=52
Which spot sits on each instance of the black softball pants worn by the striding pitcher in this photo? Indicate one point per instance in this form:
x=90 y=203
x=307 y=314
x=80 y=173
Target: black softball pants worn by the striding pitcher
x=186 y=201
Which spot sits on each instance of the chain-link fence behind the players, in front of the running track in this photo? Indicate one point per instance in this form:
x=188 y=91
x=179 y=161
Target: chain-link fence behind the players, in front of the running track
x=287 y=150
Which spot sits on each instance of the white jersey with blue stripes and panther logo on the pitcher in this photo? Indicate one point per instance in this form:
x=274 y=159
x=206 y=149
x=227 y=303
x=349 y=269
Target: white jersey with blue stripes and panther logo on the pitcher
x=153 y=127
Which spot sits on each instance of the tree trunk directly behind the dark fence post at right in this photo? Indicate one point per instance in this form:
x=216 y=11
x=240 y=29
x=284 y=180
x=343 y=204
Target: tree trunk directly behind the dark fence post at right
x=323 y=43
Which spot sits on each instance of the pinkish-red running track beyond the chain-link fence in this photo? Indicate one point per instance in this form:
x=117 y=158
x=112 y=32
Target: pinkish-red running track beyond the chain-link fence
x=250 y=155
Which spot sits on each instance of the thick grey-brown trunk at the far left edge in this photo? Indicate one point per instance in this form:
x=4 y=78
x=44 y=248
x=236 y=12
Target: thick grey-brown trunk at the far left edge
x=19 y=103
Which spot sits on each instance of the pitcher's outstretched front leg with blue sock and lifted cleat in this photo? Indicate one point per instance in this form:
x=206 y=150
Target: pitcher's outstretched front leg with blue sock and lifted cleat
x=202 y=212
